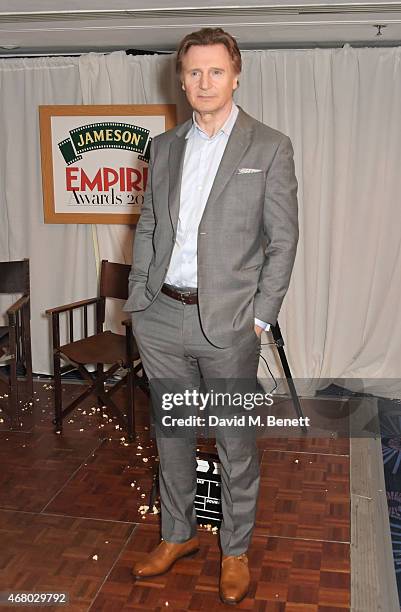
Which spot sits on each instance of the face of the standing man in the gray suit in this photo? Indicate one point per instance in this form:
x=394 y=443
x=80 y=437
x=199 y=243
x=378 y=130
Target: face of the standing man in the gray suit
x=208 y=78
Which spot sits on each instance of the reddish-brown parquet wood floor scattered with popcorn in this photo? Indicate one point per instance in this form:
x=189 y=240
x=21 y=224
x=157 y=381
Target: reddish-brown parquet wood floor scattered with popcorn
x=70 y=519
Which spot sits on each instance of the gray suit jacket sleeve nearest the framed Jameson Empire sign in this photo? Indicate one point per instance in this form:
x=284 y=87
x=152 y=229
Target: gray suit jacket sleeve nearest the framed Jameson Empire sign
x=143 y=240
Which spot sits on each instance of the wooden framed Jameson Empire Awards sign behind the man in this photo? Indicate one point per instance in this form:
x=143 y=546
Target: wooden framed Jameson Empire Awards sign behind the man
x=95 y=160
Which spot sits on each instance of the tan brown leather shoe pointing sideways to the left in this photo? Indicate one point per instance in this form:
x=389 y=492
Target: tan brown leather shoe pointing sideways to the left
x=164 y=556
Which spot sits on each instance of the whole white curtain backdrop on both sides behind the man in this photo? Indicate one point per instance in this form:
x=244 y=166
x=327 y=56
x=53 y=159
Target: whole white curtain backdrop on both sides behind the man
x=340 y=108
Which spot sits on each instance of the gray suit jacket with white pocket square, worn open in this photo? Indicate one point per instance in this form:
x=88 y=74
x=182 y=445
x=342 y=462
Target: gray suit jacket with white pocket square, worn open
x=247 y=236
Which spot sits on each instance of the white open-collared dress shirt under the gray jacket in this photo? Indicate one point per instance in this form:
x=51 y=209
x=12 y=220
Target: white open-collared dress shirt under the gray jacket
x=203 y=154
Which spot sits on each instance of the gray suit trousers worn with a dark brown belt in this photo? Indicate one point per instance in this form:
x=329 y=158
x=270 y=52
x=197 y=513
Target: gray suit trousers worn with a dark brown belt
x=172 y=345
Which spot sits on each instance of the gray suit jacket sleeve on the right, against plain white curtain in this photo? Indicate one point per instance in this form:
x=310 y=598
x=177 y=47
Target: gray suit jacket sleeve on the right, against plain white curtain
x=280 y=223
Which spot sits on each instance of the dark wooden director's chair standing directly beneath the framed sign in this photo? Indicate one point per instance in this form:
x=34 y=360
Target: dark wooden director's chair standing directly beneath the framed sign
x=104 y=347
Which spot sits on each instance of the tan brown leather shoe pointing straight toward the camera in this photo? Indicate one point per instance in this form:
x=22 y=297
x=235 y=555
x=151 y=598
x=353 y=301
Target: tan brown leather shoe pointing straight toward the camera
x=234 y=578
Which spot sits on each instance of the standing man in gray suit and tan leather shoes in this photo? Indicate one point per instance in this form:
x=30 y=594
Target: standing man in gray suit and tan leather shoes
x=213 y=254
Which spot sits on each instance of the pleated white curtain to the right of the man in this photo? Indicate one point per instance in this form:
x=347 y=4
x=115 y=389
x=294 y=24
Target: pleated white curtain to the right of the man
x=340 y=108
